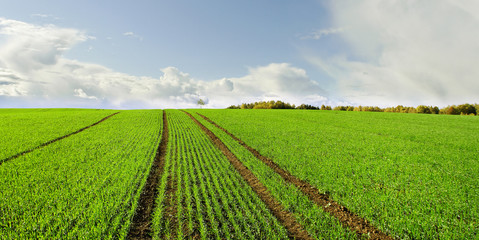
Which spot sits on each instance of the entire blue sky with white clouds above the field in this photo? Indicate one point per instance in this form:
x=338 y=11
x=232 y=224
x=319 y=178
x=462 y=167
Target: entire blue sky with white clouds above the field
x=169 y=54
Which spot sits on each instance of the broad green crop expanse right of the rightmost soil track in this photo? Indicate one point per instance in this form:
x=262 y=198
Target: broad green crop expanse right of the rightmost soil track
x=411 y=175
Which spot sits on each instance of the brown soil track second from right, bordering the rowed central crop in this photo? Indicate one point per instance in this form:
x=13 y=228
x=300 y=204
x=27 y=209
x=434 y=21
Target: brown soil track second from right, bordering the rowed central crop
x=295 y=230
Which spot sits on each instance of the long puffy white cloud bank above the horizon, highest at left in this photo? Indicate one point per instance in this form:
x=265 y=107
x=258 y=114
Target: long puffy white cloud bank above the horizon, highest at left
x=34 y=73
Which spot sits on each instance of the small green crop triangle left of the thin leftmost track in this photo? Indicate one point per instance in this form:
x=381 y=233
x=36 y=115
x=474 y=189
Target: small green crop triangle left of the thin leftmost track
x=24 y=129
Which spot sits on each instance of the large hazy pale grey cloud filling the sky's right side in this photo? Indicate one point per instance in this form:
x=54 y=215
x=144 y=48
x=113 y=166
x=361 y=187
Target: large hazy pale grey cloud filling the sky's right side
x=406 y=52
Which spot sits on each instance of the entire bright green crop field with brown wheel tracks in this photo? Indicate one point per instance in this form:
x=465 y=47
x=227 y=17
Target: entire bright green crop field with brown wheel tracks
x=237 y=174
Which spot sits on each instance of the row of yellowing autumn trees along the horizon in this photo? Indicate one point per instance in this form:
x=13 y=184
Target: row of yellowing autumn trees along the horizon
x=463 y=109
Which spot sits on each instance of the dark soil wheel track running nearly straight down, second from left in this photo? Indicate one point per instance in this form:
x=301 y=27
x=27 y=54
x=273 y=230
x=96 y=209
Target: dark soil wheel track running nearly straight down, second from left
x=140 y=226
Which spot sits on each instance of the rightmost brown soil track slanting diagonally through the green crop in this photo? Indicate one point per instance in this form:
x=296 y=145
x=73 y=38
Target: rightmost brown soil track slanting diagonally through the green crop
x=347 y=218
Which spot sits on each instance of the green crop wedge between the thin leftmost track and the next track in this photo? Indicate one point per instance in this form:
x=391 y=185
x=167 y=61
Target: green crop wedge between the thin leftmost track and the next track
x=84 y=186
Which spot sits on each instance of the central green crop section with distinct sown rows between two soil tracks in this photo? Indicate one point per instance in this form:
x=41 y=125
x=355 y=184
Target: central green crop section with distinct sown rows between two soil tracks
x=212 y=199
